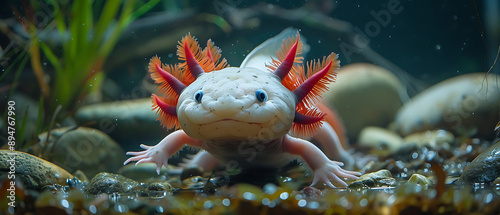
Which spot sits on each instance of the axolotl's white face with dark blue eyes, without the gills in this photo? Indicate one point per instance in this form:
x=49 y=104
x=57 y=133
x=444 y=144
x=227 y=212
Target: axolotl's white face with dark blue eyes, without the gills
x=236 y=104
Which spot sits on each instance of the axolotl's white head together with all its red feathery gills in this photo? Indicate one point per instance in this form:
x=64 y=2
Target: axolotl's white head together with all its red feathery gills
x=211 y=101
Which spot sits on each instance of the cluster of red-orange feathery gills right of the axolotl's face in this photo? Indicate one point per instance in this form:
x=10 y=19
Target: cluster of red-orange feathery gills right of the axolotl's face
x=307 y=89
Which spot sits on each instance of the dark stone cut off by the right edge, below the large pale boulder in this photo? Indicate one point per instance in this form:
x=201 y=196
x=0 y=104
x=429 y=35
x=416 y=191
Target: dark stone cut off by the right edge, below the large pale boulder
x=484 y=168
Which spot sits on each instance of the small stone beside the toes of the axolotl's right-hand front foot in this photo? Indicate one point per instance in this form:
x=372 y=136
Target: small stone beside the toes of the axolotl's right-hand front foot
x=374 y=179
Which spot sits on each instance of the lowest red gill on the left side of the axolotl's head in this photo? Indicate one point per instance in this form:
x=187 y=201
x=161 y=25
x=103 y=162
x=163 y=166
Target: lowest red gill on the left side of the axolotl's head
x=167 y=113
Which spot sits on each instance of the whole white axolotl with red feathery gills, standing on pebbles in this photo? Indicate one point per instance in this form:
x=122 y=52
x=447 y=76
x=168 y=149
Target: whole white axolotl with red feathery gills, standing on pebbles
x=226 y=111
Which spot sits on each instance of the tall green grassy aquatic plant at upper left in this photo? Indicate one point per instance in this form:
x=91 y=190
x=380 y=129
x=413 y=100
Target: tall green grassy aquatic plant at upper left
x=86 y=43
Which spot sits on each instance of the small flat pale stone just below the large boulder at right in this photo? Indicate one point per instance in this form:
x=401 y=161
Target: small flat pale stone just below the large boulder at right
x=433 y=139
